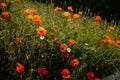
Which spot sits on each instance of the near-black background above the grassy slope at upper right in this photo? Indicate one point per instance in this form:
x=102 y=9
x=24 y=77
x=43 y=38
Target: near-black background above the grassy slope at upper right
x=108 y=9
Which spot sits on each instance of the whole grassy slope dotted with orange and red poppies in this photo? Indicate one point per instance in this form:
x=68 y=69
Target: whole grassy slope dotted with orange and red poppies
x=43 y=42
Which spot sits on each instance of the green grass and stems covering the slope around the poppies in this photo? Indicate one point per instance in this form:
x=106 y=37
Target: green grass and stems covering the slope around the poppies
x=33 y=52
